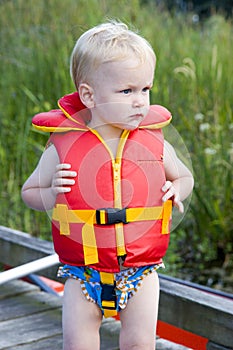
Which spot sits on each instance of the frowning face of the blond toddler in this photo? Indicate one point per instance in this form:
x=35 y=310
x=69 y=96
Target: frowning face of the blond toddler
x=121 y=94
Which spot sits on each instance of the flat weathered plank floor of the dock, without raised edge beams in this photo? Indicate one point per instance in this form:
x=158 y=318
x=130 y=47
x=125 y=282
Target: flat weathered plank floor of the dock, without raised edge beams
x=31 y=320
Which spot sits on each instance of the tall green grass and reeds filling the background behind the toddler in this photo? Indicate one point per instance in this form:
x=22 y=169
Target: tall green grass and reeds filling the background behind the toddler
x=193 y=79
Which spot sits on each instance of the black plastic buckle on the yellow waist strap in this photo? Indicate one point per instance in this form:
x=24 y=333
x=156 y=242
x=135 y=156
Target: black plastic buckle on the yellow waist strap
x=112 y=216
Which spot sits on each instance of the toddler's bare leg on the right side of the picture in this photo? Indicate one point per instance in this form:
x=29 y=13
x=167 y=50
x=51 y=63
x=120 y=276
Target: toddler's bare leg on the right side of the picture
x=139 y=318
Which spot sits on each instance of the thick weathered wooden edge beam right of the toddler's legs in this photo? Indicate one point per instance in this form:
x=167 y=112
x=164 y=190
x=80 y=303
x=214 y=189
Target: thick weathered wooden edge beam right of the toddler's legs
x=202 y=313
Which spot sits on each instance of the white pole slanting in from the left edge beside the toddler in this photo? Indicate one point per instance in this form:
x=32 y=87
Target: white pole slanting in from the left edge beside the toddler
x=31 y=267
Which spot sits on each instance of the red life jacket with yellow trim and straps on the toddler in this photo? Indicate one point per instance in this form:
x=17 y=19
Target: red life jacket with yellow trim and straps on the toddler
x=115 y=207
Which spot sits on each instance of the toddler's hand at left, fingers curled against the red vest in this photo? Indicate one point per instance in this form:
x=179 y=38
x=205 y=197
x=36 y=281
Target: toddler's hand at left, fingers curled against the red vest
x=63 y=179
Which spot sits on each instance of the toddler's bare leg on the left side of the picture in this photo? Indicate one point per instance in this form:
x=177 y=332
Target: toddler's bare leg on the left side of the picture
x=81 y=319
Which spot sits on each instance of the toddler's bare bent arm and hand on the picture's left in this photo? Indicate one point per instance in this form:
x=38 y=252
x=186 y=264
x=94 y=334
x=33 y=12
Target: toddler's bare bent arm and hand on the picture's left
x=48 y=179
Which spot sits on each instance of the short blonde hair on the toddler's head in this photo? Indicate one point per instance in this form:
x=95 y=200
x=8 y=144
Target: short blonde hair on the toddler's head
x=106 y=42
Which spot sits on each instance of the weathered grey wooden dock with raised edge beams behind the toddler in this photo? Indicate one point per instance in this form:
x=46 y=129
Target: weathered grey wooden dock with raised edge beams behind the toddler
x=31 y=319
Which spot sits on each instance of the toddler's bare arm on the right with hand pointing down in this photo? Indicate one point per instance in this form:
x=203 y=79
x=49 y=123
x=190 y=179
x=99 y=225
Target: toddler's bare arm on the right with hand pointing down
x=180 y=181
